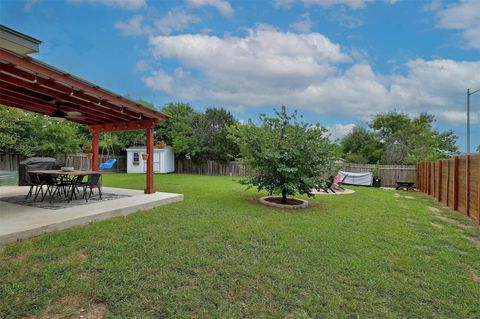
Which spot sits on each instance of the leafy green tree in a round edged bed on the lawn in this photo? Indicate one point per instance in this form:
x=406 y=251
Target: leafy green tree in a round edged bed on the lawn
x=287 y=156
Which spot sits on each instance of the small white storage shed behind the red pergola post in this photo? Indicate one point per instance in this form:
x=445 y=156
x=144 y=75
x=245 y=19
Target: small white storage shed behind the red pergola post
x=163 y=160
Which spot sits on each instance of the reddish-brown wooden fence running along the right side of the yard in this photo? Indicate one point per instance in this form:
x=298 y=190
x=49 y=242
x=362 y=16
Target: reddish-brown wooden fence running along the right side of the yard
x=454 y=183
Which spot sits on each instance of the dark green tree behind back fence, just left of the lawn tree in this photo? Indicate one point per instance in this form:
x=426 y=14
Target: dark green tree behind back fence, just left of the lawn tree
x=210 y=128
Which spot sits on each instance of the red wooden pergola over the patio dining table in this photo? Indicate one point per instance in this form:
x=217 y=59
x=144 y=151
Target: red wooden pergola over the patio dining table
x=32 y=85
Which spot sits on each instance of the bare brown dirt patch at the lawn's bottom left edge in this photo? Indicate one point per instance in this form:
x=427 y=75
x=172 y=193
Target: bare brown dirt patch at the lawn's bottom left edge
x=70 y=307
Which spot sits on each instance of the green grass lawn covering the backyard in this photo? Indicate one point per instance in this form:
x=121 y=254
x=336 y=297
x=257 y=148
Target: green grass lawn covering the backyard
x=219 y=254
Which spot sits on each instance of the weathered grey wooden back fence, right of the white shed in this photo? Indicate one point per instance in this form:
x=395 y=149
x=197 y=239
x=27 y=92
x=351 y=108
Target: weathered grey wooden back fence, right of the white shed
x=389 y=174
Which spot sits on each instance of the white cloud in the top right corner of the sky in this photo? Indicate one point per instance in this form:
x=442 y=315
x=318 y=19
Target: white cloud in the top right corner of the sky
x=463 y=16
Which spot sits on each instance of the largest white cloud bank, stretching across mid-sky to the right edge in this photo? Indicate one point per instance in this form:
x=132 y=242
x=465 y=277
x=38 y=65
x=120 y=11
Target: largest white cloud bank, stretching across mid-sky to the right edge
x=307 y=71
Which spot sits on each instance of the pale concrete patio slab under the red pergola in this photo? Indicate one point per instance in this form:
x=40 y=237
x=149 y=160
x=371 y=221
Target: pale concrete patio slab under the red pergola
x=20 y=221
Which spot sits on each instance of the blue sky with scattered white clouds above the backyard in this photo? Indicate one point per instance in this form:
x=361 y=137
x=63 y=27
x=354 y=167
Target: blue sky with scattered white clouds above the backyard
x=337 y=61
